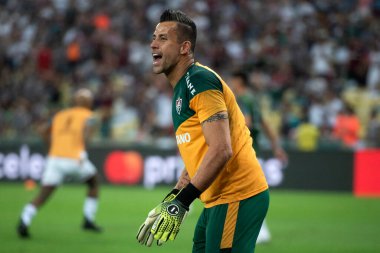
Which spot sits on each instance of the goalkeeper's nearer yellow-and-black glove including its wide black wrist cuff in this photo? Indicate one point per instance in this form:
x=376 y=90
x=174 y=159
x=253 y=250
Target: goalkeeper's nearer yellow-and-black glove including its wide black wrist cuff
x=173 y=213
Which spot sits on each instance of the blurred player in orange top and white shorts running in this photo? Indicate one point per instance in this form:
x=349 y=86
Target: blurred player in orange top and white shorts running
x=68 y=132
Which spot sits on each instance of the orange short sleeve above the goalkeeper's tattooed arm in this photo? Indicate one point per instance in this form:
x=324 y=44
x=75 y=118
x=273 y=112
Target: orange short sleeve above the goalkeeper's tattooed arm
x=208 y=103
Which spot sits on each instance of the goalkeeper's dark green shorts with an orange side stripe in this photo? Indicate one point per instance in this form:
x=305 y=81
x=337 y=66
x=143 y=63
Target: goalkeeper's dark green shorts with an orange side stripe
x=232 y=227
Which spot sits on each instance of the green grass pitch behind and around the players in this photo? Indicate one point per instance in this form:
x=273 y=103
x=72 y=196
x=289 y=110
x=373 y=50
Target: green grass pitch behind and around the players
x=304 y=222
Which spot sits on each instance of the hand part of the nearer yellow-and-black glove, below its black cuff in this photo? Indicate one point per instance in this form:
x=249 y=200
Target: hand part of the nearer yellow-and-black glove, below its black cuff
x=167 y=225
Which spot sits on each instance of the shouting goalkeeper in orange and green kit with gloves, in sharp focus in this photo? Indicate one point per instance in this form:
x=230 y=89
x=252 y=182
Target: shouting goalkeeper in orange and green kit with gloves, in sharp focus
x=216 y=147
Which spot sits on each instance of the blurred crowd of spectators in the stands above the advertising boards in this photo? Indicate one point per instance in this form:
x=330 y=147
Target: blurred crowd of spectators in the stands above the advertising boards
x=315 y=65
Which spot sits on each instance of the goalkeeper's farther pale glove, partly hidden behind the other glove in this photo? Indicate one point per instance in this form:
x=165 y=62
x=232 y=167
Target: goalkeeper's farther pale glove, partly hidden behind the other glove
x=144 y=236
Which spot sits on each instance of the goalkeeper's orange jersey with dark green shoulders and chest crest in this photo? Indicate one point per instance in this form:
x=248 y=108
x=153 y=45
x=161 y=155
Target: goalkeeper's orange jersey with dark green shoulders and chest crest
x=199 y=94
